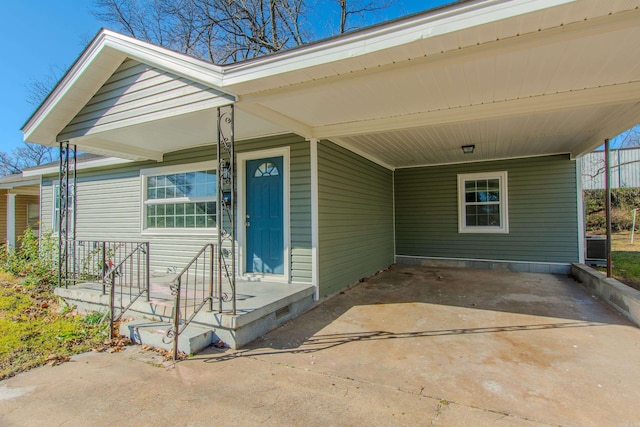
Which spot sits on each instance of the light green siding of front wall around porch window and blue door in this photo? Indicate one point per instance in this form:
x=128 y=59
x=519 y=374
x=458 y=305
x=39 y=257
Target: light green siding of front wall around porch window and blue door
x=109 y=205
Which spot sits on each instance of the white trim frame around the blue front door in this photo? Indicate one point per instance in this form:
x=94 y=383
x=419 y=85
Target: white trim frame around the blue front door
x=241 y=159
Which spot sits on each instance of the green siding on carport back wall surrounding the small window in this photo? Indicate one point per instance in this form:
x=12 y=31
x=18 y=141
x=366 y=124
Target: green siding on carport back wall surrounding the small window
x=542 y=206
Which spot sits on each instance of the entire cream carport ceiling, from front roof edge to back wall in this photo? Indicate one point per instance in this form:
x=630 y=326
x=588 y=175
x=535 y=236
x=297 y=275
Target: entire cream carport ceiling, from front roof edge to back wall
x=557 y=80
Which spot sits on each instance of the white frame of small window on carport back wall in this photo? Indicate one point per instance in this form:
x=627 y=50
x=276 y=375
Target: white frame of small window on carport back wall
x=504 y=203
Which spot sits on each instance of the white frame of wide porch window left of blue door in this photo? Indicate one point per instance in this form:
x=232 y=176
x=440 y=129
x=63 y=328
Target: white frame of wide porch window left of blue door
x=167 y=170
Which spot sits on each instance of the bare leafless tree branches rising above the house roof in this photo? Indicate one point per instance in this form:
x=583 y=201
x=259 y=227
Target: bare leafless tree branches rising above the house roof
x=225 y=31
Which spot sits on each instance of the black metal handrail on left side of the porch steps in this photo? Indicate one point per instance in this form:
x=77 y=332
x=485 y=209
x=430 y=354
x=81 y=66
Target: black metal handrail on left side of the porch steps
x=130 y=279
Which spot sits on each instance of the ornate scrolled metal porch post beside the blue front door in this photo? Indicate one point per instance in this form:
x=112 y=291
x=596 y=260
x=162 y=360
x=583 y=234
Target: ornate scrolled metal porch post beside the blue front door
x=225 y=206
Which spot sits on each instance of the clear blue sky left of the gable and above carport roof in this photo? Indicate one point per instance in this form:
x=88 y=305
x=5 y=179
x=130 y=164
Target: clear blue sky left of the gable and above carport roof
x=37 y=35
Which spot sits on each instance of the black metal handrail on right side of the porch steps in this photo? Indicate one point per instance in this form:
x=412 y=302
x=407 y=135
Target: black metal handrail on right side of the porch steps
x=193 y=288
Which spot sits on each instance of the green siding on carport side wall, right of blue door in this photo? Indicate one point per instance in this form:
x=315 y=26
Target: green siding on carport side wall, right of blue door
x=355 y=217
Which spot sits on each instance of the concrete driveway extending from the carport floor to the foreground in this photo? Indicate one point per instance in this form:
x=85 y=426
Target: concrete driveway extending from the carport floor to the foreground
x=410 y=346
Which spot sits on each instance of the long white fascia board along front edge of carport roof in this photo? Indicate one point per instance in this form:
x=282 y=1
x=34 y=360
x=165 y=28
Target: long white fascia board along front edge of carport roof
x=450 y=20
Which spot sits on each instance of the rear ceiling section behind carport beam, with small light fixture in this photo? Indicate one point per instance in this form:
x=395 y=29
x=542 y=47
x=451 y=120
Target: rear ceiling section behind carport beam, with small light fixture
x=524 y=136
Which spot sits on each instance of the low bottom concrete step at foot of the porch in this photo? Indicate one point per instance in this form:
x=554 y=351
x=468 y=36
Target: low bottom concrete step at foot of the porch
x=147 y=332
